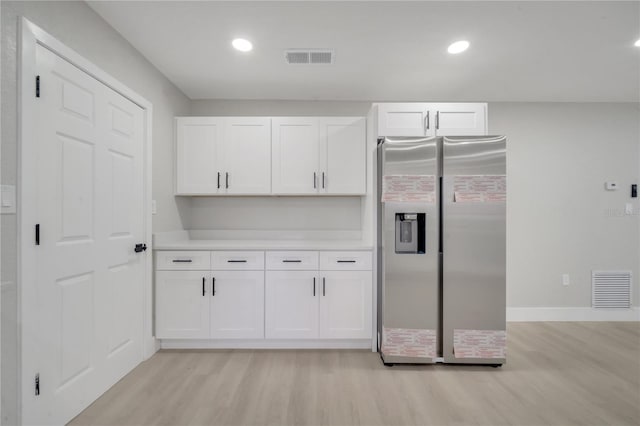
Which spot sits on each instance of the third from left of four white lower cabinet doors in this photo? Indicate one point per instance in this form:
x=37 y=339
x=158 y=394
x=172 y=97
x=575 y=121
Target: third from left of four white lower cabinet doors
x=292 y=304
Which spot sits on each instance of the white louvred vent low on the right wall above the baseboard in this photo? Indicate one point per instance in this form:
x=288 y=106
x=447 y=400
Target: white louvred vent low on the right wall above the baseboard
x=611 y=289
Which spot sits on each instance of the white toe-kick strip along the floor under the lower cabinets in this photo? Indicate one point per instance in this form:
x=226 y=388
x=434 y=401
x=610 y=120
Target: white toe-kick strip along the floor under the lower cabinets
x=265 y=344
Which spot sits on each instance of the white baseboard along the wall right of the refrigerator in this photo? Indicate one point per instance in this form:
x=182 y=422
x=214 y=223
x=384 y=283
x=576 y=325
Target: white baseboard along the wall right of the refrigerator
x=572 y=314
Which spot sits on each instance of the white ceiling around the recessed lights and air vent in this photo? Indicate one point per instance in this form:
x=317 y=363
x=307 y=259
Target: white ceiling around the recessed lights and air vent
x=384 y=51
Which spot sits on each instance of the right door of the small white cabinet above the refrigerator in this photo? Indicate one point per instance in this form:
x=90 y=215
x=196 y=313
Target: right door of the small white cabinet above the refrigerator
x=460 y=119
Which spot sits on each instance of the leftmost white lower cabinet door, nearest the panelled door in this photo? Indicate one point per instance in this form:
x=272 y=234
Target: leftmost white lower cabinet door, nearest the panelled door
x=182 y=304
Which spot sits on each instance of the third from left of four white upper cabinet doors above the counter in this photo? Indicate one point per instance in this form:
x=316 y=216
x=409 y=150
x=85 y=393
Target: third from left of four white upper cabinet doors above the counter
x=295 y=155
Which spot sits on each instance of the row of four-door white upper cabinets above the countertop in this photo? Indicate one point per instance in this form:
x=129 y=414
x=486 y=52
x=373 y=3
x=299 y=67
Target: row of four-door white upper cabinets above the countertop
x=261 y=155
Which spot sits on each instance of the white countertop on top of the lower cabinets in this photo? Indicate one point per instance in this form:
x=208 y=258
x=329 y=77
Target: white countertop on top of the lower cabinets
x=183 y=241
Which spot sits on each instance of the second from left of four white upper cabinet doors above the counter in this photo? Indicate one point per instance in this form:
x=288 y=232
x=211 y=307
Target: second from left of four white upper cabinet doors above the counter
x=245 y=155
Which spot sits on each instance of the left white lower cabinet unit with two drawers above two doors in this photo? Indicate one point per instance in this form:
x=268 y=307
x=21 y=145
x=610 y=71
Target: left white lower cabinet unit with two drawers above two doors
x=212 y=303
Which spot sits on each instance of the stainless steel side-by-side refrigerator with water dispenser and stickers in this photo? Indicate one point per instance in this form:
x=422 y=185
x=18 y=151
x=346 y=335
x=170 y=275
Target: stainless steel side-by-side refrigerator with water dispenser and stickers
x=441 y=250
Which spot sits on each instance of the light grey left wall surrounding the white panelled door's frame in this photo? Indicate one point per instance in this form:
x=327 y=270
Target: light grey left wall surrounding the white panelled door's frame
x=80 y=28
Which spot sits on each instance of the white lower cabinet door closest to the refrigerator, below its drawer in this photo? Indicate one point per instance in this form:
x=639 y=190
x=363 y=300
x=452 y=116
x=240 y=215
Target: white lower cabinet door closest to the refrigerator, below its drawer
x=345 y=304
